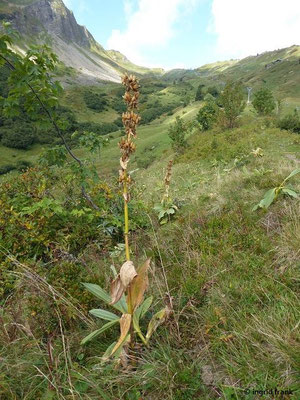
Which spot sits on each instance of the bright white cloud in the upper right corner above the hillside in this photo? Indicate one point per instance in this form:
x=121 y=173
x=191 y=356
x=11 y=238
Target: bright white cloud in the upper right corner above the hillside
x=246 y=27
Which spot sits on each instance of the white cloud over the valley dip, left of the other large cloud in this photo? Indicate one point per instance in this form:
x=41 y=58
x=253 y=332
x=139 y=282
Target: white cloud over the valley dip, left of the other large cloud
x=150 y=26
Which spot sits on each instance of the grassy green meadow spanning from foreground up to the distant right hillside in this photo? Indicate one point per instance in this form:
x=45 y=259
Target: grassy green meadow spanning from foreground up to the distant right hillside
x=230 y=273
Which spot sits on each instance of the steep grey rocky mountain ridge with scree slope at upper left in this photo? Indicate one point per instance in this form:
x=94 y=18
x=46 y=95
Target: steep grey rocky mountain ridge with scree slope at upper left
x=51 y=22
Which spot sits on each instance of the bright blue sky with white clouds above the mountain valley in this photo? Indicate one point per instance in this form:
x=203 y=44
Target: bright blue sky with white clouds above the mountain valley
x=189 y=33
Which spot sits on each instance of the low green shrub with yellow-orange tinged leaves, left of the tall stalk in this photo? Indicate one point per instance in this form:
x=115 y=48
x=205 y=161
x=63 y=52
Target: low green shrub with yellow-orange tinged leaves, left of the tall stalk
x=45 y=229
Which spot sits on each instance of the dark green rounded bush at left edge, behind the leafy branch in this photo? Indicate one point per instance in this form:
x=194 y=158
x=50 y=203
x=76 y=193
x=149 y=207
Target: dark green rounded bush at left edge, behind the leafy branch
x=21 y=137
